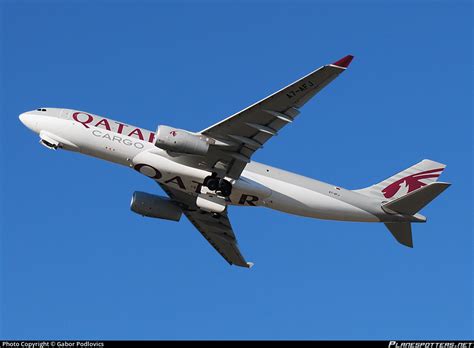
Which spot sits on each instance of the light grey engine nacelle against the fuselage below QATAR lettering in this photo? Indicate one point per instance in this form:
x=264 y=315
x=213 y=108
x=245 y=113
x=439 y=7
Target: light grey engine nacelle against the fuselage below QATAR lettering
x=181 y=141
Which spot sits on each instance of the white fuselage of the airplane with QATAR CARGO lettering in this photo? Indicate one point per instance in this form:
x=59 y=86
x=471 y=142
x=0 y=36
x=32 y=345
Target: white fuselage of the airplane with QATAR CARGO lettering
x=259 y=184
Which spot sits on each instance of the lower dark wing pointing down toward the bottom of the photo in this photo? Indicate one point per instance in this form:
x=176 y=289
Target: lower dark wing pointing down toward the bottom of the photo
x=217 y=231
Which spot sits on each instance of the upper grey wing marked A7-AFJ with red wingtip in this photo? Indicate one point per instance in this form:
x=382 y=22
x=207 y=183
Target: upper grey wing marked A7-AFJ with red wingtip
x=247 y=130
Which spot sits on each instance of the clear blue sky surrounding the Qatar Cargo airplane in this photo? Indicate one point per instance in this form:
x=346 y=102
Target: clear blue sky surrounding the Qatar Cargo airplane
x=77 y=263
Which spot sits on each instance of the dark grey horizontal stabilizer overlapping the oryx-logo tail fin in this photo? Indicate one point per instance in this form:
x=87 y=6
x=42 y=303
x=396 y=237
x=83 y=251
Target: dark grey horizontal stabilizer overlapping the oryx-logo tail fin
x=414 y=201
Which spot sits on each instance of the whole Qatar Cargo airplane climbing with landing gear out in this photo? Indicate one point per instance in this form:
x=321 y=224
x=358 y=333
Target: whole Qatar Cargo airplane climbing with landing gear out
x=203 y=173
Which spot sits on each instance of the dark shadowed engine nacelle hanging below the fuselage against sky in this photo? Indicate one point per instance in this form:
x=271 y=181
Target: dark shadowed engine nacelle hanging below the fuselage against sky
x=154 y=206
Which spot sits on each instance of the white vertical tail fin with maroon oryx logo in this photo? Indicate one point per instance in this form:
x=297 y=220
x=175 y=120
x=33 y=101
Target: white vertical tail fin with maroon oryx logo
x=405 y=182
